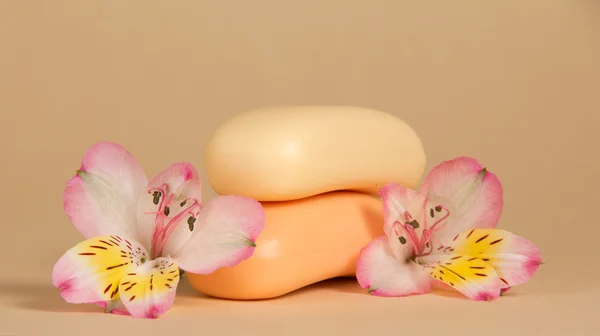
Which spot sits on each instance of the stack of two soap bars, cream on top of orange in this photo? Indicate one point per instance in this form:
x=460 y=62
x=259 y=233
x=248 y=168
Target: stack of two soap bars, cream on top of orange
x=316 y=171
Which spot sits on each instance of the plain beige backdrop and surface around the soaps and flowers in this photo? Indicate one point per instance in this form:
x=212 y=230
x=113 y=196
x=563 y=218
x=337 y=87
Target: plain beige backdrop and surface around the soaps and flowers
x=513 y=83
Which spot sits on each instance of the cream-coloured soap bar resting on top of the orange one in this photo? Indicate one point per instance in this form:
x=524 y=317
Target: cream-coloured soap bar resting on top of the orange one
x=286 y=153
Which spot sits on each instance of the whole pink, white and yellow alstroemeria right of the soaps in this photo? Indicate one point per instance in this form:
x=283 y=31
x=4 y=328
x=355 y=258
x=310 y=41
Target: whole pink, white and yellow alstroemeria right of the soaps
x=445 y=233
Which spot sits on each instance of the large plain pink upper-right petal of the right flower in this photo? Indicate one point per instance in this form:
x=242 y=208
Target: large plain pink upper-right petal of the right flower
x=471 y=194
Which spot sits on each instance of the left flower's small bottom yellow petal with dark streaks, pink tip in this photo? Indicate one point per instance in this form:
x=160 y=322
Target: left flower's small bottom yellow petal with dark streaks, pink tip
x=149 y=291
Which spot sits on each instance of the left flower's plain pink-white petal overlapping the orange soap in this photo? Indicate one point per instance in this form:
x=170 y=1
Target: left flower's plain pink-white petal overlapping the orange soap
x=224 y=234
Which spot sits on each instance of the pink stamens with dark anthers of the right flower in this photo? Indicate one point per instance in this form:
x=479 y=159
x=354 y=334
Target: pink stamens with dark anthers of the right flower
x=424 y=244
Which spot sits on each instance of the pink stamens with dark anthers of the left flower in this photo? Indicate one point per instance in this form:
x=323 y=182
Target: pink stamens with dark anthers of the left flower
x=167 y=220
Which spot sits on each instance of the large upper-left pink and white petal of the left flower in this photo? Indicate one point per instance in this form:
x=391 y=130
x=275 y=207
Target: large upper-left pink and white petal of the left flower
x=102 y=197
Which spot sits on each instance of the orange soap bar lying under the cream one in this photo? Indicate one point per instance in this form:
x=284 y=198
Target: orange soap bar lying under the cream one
x=304 y=241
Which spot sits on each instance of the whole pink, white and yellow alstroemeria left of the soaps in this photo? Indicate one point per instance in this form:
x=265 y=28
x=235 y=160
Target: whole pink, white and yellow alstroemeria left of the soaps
x=123 y=216
